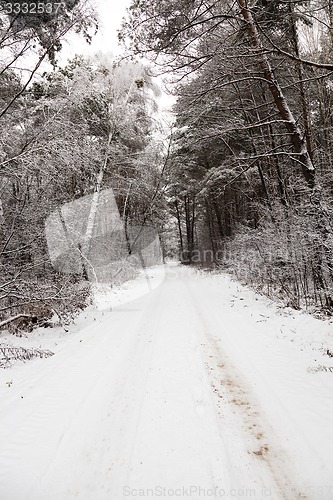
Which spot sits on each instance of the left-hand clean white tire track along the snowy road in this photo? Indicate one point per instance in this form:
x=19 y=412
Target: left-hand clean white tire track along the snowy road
x=124 y=405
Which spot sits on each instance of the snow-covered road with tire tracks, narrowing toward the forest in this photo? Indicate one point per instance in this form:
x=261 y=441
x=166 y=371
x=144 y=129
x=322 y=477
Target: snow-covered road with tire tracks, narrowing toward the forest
x=155 y=377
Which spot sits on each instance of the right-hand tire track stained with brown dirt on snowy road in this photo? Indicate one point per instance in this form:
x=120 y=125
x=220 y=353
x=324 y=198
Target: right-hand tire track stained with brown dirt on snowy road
x=231 y=391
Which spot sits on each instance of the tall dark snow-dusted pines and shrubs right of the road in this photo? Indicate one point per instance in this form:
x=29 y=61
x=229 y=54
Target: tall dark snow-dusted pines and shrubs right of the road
x=251 y=179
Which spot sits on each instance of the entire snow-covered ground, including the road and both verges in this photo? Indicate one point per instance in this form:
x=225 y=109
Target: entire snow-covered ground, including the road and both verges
x=178 y=385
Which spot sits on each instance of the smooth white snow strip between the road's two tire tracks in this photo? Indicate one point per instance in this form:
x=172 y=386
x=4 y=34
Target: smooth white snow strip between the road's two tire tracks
x=178 y=441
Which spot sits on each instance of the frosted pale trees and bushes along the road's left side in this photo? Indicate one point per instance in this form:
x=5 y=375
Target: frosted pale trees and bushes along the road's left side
x=76 y=130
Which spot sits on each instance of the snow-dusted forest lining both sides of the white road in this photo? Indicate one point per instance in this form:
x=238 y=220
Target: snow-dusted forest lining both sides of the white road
x=242 y=182
